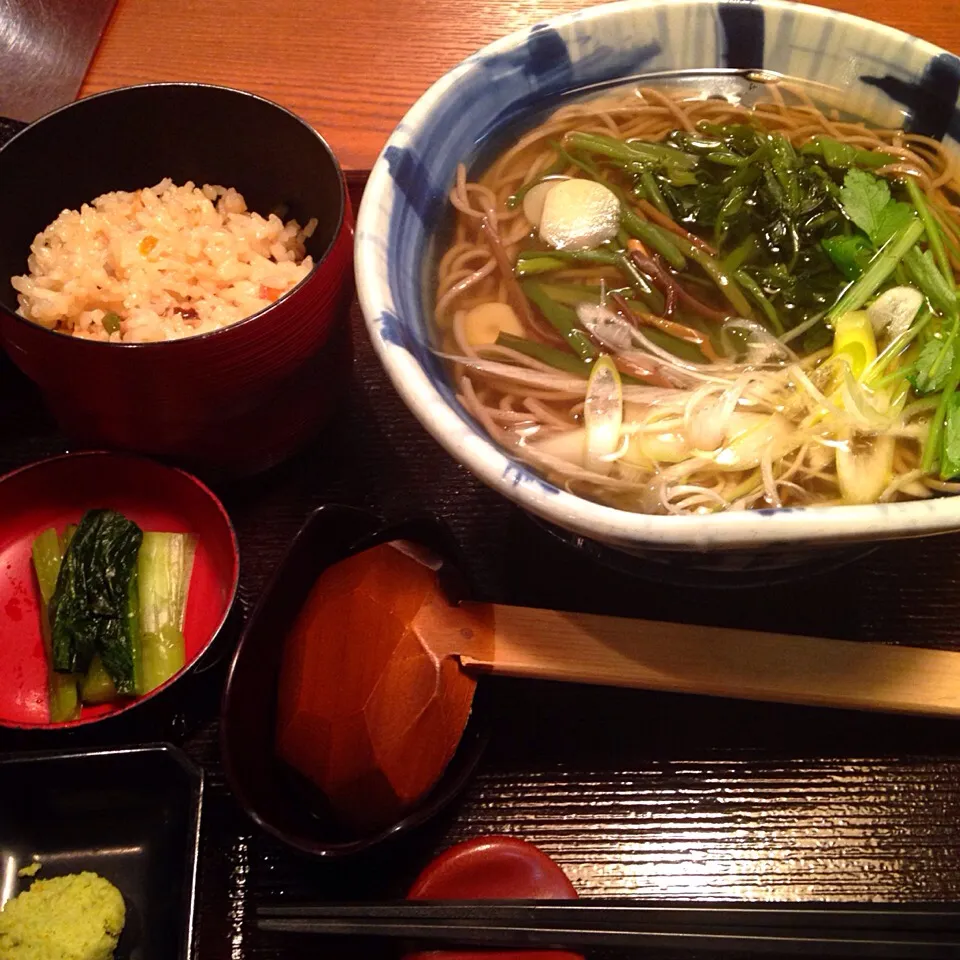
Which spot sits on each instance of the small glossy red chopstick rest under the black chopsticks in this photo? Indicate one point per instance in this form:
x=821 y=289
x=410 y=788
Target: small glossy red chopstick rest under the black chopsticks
x=493 y=868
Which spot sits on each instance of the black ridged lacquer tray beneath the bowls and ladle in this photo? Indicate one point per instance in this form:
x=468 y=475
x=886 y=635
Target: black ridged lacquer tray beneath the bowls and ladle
x=633 y=794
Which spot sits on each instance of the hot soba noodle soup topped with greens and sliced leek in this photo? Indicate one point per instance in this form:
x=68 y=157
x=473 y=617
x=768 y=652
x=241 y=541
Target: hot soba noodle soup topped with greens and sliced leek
x=677 y=305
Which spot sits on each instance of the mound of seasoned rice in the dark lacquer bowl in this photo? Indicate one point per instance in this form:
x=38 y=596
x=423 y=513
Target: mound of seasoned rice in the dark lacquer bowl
x=160 y=263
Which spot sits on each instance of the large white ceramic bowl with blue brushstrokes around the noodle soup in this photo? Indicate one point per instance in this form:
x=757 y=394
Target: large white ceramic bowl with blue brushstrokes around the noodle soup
x=886 y=75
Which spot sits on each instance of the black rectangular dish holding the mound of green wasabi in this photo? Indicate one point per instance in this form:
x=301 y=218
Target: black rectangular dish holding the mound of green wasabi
x=132 y=815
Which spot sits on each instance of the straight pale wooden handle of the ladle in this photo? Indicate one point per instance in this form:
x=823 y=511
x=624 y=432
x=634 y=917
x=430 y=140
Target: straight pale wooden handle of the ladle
x=683 y=658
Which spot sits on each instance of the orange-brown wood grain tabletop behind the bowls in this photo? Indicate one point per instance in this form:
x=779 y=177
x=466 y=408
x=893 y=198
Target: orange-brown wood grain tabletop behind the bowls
x=353 y=67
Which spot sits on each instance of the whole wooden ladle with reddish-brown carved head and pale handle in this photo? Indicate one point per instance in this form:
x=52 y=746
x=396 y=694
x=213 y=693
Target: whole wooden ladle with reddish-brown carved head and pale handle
x=379 y=673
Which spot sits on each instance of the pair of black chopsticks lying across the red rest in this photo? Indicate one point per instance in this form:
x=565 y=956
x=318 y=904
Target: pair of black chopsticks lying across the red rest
x=861 y=931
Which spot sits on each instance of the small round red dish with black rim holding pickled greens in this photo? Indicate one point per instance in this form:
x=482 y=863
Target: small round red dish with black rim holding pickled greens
x=55 y=493
